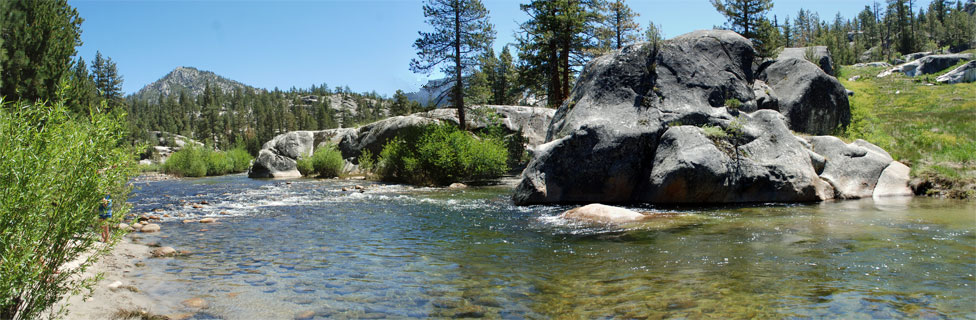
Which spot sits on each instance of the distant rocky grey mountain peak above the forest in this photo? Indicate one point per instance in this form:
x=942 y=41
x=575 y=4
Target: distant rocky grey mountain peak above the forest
x=190 y=79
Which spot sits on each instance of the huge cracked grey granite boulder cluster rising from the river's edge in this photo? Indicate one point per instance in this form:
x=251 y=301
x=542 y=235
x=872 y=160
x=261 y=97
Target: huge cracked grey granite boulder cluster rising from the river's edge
x=651 y=125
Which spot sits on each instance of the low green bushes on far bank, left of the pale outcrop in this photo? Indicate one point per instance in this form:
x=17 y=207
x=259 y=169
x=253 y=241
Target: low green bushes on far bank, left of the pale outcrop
x=197 y=161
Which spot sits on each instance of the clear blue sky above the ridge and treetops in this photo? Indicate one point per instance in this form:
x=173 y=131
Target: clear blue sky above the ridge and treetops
x=364 y=44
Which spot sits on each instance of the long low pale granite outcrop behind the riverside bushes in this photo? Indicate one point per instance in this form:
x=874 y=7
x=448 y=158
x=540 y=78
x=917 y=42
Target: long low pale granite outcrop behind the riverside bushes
x=278 y=157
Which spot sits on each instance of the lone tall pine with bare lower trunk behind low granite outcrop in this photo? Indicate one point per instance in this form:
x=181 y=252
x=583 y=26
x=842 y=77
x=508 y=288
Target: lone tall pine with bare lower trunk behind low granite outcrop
x=461 y=34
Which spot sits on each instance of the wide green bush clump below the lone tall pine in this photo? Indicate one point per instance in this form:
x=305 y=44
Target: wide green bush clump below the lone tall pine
x=442 y=154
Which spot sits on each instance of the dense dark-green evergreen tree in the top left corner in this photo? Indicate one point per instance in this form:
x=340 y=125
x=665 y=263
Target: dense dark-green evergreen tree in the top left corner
x=38 y=40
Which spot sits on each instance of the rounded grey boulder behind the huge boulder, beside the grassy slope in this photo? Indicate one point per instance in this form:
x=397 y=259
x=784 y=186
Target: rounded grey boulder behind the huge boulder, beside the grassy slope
x=812 y=101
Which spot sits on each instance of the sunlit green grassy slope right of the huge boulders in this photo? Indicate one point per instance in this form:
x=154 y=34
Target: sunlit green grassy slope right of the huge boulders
x=929 y=127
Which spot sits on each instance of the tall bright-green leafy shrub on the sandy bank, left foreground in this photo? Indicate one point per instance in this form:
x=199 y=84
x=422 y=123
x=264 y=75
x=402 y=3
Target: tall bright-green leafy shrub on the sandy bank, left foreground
x=54 y=170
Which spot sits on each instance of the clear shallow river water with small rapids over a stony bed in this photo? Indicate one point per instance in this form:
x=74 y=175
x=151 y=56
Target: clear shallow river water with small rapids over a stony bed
x=280 y=250
